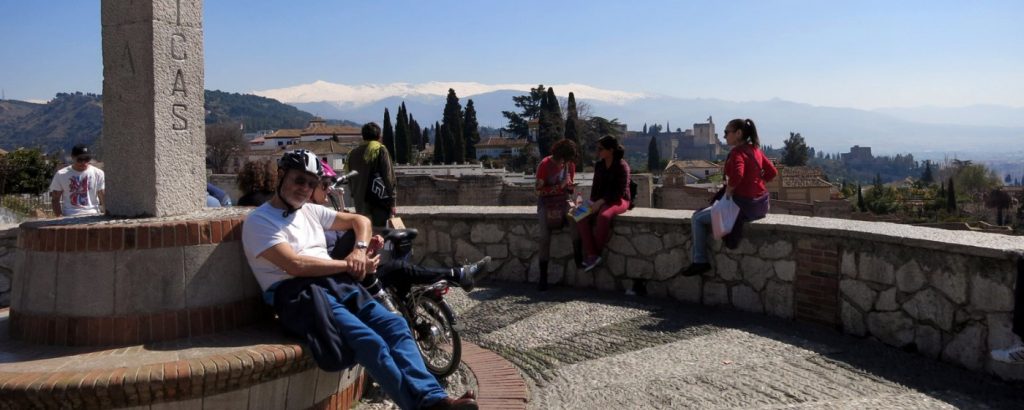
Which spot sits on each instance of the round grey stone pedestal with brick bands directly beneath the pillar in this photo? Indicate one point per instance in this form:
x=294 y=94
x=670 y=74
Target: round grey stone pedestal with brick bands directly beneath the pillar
x=99 y=281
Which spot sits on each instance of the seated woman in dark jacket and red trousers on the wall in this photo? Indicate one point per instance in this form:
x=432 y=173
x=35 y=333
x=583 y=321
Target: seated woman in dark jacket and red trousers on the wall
x=610 y=197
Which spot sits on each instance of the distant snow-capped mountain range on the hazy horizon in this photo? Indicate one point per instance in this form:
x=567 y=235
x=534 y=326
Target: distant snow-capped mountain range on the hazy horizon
x=966 y=130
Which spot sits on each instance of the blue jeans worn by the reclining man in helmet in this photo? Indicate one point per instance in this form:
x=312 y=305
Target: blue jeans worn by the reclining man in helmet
x=385 y=346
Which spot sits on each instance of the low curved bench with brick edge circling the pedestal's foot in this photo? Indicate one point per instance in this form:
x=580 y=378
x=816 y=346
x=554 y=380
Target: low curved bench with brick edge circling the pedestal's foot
x=255 y=367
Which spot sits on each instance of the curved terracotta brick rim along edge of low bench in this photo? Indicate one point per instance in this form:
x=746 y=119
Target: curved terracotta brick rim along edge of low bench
x=169 y=382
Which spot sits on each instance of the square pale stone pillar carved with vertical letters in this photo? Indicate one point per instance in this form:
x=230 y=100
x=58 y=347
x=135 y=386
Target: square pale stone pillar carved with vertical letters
x=154 y=134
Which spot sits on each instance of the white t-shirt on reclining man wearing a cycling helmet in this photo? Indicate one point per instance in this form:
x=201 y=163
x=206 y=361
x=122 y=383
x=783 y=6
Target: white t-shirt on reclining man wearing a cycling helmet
x=266 y=228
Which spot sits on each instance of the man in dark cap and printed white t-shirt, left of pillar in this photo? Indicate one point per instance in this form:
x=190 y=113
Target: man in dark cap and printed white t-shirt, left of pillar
x=78 y=189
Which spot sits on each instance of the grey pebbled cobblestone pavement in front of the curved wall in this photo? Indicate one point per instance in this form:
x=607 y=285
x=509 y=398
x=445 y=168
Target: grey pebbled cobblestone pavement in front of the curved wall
x=589 y=350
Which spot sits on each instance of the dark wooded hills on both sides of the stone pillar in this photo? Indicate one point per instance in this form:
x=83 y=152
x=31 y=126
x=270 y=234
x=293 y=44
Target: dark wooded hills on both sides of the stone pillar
x=77 y=118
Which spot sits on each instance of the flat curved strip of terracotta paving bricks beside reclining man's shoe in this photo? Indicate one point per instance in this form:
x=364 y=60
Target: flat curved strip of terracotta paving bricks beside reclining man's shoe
x=499 y=384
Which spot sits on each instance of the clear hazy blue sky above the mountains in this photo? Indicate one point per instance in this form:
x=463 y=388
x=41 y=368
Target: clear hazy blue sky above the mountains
x=857 y=54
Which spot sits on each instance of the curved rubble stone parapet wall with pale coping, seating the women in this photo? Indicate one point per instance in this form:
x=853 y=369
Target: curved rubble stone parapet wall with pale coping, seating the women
x=946 y=295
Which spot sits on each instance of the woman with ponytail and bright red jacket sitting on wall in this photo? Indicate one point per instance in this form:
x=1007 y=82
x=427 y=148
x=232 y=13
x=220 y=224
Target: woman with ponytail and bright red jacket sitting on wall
x=747 y=171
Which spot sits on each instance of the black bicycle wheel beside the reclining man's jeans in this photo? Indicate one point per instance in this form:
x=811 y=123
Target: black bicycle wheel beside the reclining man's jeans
x=439 y=342
